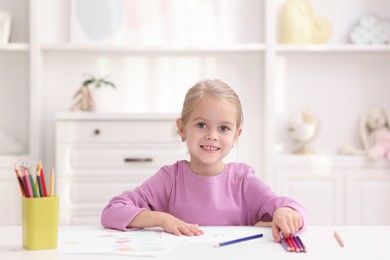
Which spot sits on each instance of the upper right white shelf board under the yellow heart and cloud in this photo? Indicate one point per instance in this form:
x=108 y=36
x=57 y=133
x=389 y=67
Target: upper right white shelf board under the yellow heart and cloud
x=284 y=48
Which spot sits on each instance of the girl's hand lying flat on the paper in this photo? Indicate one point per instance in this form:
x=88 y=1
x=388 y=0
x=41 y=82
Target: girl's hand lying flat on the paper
x=178 y=227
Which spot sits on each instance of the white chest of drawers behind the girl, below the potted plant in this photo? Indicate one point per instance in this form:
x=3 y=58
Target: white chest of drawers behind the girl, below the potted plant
x=99 y=156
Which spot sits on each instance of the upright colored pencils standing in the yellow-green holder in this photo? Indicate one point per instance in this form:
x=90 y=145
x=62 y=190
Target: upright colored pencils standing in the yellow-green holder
x=34 y=187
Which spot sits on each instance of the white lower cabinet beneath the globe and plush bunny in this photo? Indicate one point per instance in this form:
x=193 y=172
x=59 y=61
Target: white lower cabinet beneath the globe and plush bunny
x=336 y=191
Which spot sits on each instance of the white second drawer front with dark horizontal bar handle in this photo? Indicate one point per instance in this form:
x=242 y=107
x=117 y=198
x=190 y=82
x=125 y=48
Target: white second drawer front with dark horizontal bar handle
x=112 y=158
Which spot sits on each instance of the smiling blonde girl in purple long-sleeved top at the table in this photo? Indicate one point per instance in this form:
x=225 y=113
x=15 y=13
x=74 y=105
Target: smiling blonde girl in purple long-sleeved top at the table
x=204 y=191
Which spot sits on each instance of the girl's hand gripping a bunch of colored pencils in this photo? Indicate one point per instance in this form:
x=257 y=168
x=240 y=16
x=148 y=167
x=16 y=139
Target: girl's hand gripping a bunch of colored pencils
x=287 y=220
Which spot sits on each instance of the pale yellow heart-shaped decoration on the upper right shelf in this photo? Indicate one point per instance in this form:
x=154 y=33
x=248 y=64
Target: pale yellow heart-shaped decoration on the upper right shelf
x=299 y=25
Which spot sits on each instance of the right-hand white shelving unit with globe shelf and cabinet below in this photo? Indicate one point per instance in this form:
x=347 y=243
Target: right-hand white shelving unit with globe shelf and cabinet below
x=339 y=81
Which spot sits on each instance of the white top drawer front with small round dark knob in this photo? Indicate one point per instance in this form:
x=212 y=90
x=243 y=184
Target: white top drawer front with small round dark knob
x=112 y=131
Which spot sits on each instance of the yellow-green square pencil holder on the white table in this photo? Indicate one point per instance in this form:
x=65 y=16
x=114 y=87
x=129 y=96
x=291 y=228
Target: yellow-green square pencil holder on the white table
x=40 y=222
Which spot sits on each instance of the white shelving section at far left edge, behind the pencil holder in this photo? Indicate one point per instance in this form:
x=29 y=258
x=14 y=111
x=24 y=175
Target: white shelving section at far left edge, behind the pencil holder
x=19 y=120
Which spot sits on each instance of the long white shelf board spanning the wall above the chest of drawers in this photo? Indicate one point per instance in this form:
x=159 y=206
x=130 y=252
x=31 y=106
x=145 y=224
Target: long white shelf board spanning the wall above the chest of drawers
x=250 y=47
